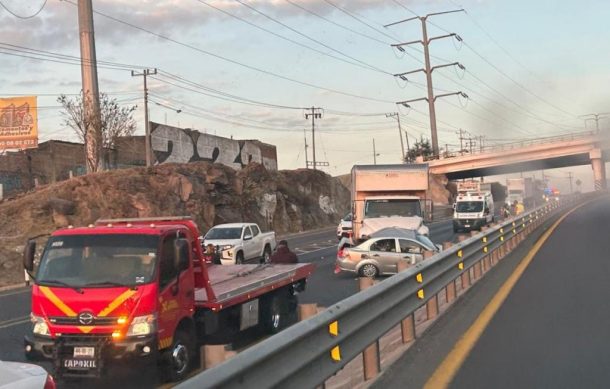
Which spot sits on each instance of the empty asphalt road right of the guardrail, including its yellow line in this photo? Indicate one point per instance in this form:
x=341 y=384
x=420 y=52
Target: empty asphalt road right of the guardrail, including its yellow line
x=551 y=331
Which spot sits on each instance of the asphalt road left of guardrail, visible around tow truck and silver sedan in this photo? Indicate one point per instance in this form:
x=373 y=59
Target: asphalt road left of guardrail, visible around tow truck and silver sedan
x=324 y=288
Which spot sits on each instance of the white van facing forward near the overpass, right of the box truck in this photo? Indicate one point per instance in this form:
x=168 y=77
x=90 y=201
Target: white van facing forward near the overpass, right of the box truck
x=472 y=211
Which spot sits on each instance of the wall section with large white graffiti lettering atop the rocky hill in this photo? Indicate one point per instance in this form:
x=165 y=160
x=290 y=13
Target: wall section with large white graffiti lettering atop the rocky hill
x=171 y=144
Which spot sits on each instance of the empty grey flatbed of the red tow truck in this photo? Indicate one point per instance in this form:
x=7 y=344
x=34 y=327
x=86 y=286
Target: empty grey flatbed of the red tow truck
x=238 y=283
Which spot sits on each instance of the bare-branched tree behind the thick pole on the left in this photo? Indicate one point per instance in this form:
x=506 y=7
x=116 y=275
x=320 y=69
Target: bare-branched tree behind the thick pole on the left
x=117 y=121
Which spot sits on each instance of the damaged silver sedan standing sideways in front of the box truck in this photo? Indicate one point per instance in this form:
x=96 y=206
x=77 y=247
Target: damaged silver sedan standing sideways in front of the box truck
x=380 y=254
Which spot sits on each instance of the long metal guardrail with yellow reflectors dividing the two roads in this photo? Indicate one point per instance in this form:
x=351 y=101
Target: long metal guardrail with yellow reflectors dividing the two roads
x=309 y=352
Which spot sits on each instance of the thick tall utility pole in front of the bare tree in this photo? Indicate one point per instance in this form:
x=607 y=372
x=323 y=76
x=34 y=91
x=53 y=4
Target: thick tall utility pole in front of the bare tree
x=91 y=94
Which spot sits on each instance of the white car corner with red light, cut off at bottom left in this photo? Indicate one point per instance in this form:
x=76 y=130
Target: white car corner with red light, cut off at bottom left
x=24 y=376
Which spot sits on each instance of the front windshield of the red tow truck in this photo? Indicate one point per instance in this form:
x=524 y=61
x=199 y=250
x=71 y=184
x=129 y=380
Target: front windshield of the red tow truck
x=79 y=261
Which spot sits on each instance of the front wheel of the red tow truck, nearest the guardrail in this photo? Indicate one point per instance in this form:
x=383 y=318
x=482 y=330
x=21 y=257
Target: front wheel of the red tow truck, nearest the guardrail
x=178 y=358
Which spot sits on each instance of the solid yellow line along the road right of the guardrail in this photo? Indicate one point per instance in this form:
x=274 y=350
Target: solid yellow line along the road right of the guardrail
x=446 y=371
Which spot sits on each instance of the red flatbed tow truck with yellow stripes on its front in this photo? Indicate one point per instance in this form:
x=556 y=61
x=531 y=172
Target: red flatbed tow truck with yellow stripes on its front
x=141 y=289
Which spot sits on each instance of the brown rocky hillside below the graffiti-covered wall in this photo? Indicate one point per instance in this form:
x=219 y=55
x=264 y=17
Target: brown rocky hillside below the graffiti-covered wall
x=285 y=201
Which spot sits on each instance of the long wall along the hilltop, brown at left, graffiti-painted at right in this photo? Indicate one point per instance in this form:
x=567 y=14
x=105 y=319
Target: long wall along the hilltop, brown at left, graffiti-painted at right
x=54 y=160
